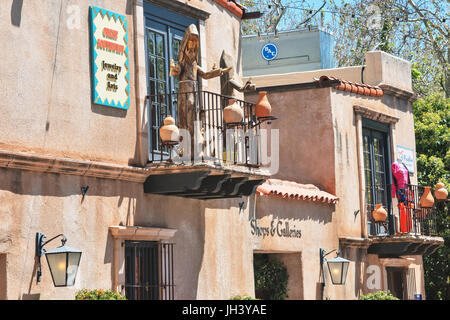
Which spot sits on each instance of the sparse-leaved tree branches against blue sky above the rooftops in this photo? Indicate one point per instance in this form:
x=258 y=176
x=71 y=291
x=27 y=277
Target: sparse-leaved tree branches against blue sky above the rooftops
x=416 y=30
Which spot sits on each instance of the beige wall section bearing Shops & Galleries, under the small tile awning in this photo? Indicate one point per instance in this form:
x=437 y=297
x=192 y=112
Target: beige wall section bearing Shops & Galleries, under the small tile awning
x=317 y=223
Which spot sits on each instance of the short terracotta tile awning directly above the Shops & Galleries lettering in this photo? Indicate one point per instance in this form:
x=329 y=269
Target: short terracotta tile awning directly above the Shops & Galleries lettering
x=293 y=190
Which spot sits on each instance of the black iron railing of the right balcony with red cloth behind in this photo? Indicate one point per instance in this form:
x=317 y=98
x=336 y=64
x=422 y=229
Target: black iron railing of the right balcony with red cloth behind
x=405 y=213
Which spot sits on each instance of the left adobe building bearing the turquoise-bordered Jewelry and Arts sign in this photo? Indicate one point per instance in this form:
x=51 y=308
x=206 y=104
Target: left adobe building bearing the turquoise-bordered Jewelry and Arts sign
x=78 y=87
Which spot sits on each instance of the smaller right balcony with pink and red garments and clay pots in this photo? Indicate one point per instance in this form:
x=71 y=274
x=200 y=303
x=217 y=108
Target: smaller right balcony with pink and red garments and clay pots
x=409 y=228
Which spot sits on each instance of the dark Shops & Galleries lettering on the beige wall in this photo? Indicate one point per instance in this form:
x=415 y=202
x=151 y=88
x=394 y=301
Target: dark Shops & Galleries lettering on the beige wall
x=277 y=228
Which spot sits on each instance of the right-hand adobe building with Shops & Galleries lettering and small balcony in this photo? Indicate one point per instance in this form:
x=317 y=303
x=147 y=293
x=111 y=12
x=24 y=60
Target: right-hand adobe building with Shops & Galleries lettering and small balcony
x=341 y=133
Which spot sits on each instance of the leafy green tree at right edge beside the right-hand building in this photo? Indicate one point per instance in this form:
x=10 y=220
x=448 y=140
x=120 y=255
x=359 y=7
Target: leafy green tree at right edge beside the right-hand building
x=432 y=118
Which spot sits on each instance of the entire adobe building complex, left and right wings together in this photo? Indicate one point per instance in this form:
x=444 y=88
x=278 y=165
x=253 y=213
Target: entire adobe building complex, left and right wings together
x=85 y=90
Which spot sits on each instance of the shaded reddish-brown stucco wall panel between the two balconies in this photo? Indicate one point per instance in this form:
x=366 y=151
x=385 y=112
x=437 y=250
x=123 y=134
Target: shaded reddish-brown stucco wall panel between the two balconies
x=306 y=150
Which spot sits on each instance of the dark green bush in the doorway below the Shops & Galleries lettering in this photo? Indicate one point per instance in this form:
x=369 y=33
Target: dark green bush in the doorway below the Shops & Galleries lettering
x=271 y=278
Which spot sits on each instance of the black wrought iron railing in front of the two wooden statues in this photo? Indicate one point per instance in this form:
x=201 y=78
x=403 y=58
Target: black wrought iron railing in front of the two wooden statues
x=204 y=135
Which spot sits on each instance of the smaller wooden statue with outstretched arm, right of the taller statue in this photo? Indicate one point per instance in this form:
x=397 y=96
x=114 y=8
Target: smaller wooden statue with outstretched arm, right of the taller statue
x=230 y=81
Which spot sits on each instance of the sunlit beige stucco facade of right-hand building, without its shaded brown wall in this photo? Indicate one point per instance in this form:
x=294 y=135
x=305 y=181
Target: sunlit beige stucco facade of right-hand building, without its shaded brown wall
x=321 y=143
